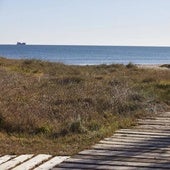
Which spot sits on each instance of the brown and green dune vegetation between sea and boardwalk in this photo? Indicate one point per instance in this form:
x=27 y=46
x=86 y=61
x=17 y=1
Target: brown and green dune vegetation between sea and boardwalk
x=60 y=109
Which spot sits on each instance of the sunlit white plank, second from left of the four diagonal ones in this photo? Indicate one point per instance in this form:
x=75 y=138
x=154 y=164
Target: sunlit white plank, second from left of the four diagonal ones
x=17 y=160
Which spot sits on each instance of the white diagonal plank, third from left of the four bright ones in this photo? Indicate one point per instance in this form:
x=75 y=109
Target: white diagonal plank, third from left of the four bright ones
x=32 y=162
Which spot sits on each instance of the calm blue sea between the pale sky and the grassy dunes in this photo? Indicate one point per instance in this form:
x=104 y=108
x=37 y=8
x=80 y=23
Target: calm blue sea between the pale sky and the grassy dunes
x=89 y=55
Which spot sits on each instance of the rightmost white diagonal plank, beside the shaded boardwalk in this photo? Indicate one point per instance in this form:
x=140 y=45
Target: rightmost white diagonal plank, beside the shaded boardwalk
x=52 y=163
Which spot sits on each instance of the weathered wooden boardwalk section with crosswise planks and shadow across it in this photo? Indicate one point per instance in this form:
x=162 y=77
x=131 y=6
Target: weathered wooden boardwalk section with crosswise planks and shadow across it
x=145 y=147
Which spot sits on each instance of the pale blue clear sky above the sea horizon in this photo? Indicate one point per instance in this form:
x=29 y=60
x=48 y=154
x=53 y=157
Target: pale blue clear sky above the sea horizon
x=85 y=22
